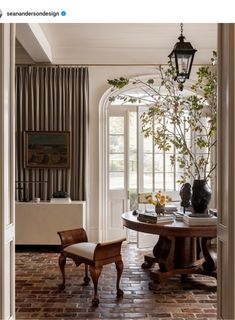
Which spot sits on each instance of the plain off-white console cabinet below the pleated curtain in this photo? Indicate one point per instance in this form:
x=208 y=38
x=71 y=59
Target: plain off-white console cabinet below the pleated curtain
x=38 y=223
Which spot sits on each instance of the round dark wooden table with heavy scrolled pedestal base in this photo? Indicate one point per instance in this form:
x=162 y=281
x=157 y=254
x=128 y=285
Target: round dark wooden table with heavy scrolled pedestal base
x=181 y=249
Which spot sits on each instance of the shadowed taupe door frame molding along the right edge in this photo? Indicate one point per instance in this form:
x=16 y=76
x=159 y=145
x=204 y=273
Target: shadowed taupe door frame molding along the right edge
x=226 y=170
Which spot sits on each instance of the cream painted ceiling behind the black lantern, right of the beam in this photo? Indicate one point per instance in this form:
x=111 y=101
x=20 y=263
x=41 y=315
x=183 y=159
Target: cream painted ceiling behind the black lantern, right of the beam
x=123 y=43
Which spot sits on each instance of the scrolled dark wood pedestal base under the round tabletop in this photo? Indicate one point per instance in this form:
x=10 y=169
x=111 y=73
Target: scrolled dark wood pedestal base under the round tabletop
x=180 y=255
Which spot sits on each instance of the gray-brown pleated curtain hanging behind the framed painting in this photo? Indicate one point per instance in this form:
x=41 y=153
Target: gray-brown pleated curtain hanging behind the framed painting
x=52 y=99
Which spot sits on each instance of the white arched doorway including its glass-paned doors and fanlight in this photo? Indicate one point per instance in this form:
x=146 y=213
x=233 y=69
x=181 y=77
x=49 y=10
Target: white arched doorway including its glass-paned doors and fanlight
x=131 y=163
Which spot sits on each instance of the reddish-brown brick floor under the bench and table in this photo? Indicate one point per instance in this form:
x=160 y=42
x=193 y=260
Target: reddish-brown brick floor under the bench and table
x=38 y=297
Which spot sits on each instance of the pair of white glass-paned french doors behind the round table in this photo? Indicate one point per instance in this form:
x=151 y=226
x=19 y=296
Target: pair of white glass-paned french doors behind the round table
x=134 y=165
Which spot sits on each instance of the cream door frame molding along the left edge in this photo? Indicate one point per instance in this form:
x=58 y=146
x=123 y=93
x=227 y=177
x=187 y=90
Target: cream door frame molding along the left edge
x=7 y=171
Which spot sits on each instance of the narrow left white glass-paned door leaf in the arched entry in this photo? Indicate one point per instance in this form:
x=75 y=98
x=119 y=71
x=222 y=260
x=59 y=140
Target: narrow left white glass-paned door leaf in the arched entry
x=122 y=167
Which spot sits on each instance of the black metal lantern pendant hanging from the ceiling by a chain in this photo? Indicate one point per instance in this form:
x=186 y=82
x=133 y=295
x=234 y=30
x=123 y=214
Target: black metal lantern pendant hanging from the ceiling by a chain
x=182 y=57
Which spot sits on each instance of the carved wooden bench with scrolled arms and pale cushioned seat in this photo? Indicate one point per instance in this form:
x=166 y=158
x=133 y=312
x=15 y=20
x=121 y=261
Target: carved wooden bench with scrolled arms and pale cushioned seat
x=76 y=247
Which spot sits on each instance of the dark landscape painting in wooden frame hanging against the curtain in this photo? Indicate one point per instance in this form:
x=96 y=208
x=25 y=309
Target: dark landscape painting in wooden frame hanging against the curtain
x=46 y=149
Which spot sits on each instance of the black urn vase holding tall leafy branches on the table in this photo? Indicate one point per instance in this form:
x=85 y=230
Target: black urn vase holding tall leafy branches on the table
x=201 y=196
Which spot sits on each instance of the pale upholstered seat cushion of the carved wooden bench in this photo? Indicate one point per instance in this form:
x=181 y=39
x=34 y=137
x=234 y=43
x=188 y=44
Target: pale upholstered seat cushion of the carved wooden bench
x=84 y=250
